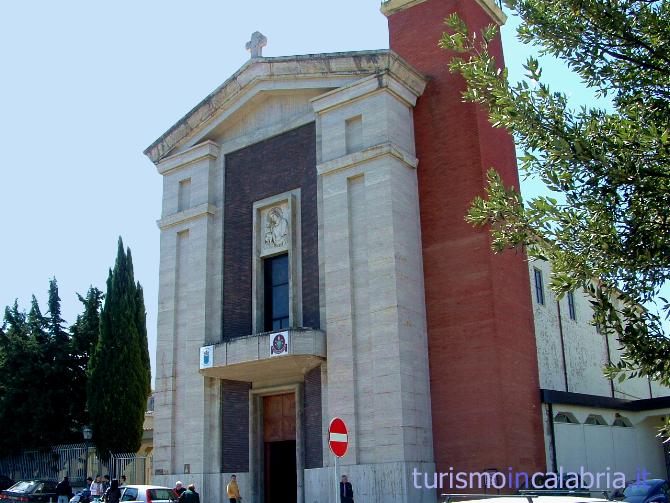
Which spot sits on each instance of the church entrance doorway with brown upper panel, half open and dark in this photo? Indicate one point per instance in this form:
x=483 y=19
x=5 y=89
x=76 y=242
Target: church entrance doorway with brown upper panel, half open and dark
x=279 y=449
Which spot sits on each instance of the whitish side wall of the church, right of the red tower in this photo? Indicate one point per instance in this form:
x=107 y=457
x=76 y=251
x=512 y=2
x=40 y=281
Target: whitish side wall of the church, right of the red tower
x=571 y=356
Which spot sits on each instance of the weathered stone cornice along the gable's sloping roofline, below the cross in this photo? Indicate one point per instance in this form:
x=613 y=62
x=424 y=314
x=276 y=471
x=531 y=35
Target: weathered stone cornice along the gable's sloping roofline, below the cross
x=313 y=67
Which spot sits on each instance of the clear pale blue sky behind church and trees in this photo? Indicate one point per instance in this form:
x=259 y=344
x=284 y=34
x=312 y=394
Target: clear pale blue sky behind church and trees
x=86 y=86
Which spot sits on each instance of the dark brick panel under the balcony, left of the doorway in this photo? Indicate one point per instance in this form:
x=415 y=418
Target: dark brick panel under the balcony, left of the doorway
x=235 y=426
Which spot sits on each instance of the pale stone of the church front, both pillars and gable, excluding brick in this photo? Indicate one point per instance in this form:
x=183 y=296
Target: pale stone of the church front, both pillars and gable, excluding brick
x=388 y=306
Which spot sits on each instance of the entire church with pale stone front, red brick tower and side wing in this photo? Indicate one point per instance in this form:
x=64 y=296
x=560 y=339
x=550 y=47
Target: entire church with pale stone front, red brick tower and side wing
x=315 y=262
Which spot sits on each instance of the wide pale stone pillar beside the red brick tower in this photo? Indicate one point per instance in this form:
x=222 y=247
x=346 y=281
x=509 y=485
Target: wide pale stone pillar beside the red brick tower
x=373 y=282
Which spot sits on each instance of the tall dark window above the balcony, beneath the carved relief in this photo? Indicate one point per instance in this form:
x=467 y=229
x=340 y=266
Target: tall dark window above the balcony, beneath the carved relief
x=276 y=288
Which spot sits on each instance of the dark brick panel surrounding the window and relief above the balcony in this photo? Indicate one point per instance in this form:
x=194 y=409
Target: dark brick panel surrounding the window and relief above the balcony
x=267 y=168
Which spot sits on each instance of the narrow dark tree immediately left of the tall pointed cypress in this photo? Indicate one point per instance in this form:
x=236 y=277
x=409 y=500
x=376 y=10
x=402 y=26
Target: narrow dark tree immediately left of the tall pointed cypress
x=84 y=338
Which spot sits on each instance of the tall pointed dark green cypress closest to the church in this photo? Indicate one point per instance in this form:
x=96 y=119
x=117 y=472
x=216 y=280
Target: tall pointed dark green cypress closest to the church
x=119 y=373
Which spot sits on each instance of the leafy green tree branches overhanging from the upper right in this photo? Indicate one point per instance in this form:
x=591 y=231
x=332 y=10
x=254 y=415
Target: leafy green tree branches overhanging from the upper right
x=607 y=230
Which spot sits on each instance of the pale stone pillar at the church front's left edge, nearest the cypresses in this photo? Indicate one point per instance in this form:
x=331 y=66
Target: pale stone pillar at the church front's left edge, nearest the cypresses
x=187 y=404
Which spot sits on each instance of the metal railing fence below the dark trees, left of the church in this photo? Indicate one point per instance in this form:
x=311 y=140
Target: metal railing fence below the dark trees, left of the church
x=77 y=461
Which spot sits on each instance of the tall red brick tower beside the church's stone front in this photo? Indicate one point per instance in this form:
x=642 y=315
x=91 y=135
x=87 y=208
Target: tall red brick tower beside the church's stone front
x=483 y=362
